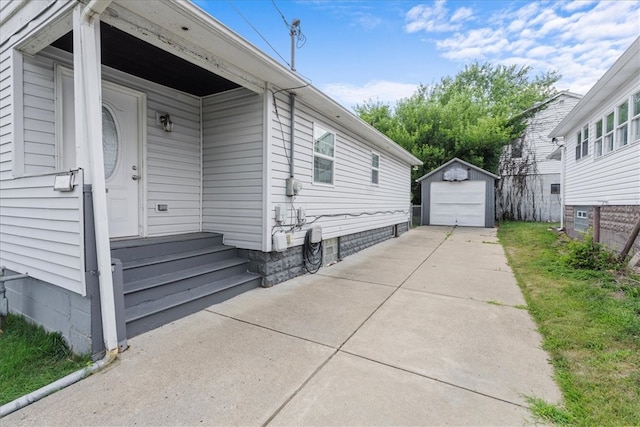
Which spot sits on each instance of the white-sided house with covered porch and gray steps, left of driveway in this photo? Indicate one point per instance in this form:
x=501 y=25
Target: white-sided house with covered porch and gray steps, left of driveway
x=137 y=138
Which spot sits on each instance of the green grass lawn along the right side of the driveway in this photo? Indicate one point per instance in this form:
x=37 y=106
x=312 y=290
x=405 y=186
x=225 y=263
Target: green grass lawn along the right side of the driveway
x=590 y=321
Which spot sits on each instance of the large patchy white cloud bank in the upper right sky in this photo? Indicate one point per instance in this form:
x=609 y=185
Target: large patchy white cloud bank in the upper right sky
x=579 y=39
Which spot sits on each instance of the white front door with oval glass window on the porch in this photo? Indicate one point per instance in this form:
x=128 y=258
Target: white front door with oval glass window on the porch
x=121 y=167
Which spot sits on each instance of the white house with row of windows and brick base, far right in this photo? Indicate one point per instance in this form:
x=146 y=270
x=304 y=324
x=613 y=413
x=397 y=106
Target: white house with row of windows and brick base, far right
x=601 y=155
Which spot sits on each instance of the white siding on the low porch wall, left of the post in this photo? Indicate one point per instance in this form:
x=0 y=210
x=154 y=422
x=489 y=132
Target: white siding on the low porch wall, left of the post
x=41 y=231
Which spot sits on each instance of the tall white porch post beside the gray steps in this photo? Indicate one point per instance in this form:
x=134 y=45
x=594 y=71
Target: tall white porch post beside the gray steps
x=88 y=117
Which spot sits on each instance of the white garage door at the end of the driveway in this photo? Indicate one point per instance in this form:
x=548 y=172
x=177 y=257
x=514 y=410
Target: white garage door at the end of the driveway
x=457 y=203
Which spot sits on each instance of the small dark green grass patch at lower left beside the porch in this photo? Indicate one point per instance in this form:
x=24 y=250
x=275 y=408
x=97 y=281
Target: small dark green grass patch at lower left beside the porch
x=31 y=358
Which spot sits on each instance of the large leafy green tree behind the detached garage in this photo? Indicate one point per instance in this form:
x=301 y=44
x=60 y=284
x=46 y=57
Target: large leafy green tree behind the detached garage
x=471 y=116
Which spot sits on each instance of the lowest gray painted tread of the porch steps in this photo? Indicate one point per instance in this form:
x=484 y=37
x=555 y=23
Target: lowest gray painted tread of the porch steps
x=151 y=307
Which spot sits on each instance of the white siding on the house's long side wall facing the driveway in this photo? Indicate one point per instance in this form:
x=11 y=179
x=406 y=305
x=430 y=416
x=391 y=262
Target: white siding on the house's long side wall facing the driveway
x=355 y=204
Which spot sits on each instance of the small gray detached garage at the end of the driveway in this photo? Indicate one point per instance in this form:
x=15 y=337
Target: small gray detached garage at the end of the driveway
x=458 y=193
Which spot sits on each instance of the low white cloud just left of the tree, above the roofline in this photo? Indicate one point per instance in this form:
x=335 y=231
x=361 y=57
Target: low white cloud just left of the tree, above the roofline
x=378 y=90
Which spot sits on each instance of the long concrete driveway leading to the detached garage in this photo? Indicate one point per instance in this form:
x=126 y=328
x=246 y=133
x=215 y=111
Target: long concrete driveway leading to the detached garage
x=425 y=329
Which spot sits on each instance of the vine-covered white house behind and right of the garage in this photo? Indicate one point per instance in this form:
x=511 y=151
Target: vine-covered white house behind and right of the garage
x=529 y=186
